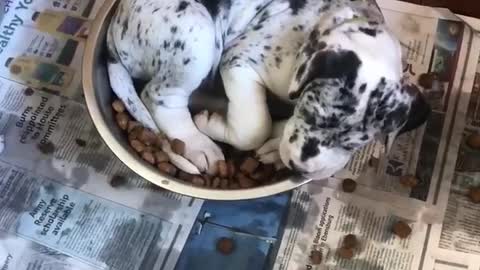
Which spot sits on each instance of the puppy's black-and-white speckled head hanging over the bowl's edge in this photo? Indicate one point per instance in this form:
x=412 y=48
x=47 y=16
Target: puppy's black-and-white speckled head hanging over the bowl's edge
x=344 y=99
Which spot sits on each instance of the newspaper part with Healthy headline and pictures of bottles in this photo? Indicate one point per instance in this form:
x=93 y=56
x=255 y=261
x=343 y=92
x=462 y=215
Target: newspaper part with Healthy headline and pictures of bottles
x=42 y=43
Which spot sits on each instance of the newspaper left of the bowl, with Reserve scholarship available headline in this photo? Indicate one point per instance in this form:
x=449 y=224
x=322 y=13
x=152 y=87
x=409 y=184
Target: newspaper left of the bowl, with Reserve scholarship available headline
x=66 y=202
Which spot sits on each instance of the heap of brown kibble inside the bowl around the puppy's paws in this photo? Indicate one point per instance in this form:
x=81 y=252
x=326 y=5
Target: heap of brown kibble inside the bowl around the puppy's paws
x=237 y=171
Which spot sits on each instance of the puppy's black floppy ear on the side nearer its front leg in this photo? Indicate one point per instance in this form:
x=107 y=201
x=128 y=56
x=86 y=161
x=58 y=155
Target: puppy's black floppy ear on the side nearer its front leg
x=324 y=64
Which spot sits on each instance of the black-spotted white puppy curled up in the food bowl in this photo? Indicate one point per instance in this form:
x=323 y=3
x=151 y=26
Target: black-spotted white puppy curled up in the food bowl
x=336 y=60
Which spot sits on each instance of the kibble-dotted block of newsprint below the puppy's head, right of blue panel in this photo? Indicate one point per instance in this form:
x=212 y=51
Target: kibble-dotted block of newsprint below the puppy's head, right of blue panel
x=320 y=218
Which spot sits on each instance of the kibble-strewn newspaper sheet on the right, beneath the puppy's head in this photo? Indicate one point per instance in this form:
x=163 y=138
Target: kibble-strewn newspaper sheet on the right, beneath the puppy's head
x=445 y=223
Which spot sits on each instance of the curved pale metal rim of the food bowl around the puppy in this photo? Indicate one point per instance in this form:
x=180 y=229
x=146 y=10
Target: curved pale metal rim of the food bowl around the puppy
x=99 y=97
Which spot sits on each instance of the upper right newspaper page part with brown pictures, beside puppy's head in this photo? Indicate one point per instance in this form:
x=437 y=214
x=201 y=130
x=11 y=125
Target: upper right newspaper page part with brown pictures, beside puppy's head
x=433 y=41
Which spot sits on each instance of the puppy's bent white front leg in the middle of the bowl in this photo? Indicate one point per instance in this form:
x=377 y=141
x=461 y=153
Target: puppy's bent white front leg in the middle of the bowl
x=248 y=122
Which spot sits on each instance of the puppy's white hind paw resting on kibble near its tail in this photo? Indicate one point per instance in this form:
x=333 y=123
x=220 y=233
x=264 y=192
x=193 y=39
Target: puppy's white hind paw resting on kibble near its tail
x=202 y=152
